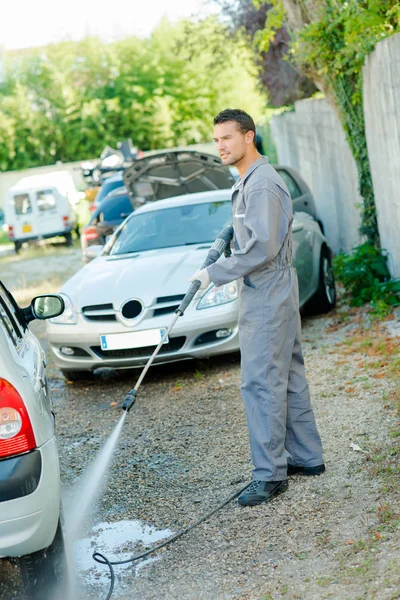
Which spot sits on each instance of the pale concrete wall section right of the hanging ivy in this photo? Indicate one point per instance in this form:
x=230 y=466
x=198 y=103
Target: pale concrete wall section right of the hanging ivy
x=382 y=123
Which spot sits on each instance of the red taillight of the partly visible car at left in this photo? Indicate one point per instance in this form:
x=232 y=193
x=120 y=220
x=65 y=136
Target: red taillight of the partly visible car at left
x=16 y=433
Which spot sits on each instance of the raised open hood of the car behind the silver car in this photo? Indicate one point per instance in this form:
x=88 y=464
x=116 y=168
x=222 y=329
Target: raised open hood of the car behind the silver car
x=173 y=173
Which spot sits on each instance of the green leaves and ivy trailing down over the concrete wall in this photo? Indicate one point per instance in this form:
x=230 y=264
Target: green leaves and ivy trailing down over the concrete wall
x=330 y=44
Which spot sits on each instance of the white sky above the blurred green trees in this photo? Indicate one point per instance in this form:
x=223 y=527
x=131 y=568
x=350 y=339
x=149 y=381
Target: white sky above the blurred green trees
x=29 y=23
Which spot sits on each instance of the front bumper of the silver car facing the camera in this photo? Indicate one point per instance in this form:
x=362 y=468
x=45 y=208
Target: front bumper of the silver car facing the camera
x=193 y=338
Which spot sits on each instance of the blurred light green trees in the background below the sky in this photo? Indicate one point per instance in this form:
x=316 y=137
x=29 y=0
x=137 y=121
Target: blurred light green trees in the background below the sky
x=67 y=101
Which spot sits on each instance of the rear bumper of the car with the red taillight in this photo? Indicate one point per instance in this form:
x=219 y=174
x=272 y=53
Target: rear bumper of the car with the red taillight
x=28 y=523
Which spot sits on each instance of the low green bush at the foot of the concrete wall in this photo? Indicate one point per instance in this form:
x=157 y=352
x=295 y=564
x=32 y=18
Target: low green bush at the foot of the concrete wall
x=366 y=278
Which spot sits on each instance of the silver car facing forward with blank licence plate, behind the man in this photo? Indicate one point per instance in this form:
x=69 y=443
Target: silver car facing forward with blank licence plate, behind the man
x=119 y=305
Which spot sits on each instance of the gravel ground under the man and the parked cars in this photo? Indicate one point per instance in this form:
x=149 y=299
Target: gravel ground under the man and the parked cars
x=184 y=449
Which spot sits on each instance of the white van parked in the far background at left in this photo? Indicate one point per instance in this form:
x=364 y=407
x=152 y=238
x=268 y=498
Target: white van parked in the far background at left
x=42 y=206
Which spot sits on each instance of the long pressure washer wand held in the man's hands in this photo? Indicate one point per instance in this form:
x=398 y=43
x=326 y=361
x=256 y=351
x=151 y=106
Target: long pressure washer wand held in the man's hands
x=219 y=246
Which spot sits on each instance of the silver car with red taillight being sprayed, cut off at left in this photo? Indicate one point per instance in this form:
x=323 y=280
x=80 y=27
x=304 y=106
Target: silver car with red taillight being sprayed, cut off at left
x=30 y=523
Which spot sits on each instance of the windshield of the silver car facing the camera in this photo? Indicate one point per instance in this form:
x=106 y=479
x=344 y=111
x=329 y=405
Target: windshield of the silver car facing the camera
x=178 y=226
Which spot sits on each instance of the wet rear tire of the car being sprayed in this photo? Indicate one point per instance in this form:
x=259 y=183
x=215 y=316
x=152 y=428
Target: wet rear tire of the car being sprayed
x=45 y=569
